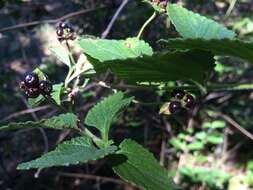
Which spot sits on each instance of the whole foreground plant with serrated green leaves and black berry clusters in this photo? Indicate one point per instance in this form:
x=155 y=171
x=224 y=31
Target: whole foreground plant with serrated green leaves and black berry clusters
x=189 y=59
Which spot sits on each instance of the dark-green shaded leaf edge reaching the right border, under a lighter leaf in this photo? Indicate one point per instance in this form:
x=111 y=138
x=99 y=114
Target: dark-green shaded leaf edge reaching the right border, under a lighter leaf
x=236 y=48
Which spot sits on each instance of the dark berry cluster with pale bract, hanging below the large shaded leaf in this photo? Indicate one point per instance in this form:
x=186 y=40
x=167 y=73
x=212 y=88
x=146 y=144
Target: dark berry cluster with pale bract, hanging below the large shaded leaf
x=180 y=100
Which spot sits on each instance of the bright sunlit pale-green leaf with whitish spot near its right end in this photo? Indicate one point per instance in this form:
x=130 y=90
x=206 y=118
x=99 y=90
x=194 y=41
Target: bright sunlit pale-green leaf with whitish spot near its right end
x=105 y=50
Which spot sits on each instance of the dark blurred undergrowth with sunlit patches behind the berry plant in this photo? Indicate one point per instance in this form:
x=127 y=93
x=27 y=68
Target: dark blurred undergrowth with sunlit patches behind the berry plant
x=201 y=149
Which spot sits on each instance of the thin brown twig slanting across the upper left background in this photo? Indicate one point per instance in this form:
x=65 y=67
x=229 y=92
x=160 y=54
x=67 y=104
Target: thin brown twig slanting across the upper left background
x=73 y=14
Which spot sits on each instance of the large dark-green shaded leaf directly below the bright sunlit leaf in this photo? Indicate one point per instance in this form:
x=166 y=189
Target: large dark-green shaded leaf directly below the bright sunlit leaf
x=161 y=67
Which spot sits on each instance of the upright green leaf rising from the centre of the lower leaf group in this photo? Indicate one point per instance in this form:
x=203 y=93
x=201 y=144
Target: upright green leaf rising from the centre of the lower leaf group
x=105 y=112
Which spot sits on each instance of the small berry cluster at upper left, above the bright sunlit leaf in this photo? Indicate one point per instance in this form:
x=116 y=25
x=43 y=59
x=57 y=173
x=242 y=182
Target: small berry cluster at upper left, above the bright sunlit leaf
x=65 y=32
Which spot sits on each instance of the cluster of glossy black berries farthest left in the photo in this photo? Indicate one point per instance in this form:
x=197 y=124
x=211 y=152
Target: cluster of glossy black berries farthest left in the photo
x=34 y=87
